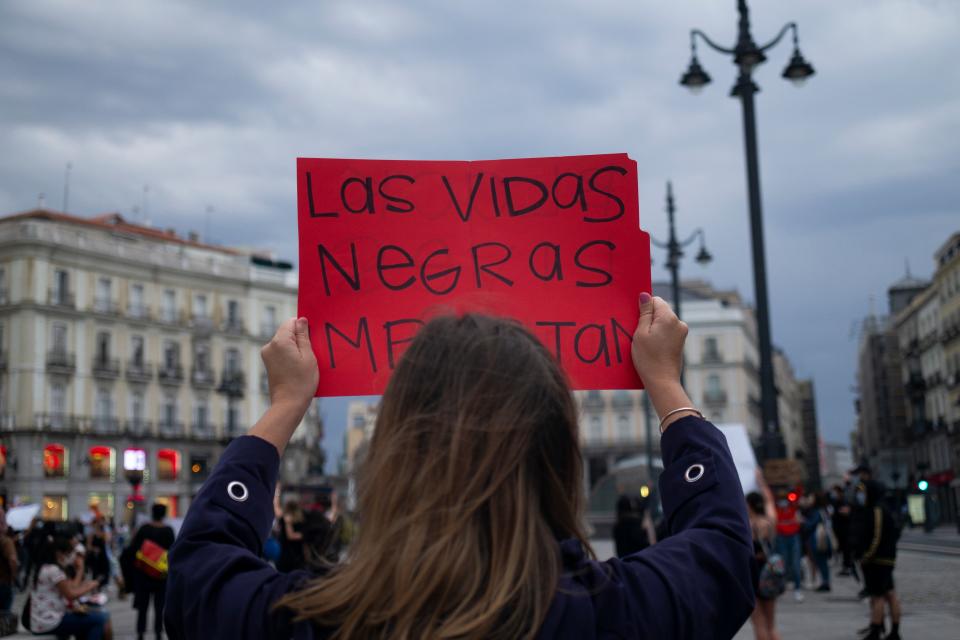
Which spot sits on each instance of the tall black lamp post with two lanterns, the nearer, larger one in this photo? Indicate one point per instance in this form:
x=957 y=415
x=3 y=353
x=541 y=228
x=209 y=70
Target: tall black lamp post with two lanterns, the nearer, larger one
x=747 y=55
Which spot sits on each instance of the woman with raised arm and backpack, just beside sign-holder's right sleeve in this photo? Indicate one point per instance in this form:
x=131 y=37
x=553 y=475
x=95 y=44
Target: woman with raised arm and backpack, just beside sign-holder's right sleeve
x=762 y=512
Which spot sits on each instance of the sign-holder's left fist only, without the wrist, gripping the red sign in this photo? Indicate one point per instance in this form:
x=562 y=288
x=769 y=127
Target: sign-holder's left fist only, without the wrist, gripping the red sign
x=291 y=366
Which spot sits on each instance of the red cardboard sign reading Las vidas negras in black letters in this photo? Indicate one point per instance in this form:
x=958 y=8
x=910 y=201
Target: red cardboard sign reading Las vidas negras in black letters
x=552 y=242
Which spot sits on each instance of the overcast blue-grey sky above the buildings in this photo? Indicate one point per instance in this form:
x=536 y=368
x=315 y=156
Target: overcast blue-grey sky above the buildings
x=210 y=103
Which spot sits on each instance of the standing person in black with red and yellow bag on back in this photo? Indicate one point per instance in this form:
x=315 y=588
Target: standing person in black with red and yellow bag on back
x=151 y=543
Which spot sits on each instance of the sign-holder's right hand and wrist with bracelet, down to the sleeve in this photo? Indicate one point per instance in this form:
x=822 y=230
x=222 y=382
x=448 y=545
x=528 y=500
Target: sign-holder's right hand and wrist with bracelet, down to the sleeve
x=657 y=352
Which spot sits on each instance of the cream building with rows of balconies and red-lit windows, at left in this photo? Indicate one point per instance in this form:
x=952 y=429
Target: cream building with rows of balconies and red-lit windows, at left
x=128 y=351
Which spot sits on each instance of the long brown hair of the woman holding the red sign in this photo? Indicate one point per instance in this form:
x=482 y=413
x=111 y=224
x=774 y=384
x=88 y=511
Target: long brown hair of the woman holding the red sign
x=472 y=476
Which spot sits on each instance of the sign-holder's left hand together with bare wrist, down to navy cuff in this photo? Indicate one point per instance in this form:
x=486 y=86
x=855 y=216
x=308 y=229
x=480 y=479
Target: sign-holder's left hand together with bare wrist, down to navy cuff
x=293 y=376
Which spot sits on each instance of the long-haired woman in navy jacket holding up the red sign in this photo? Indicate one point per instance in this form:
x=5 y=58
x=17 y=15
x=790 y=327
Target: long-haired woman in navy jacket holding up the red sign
x=470 y=501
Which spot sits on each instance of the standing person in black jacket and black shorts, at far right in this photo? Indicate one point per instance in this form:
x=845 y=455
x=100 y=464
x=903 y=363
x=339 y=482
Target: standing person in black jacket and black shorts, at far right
x=876 y=547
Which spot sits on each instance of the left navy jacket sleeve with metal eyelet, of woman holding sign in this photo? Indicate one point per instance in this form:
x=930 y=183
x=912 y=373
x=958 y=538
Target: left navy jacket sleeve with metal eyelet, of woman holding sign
x=218 y=584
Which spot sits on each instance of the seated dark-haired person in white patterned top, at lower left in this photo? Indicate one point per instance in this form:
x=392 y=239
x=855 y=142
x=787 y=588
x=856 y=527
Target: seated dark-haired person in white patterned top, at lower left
x=53 y=595
